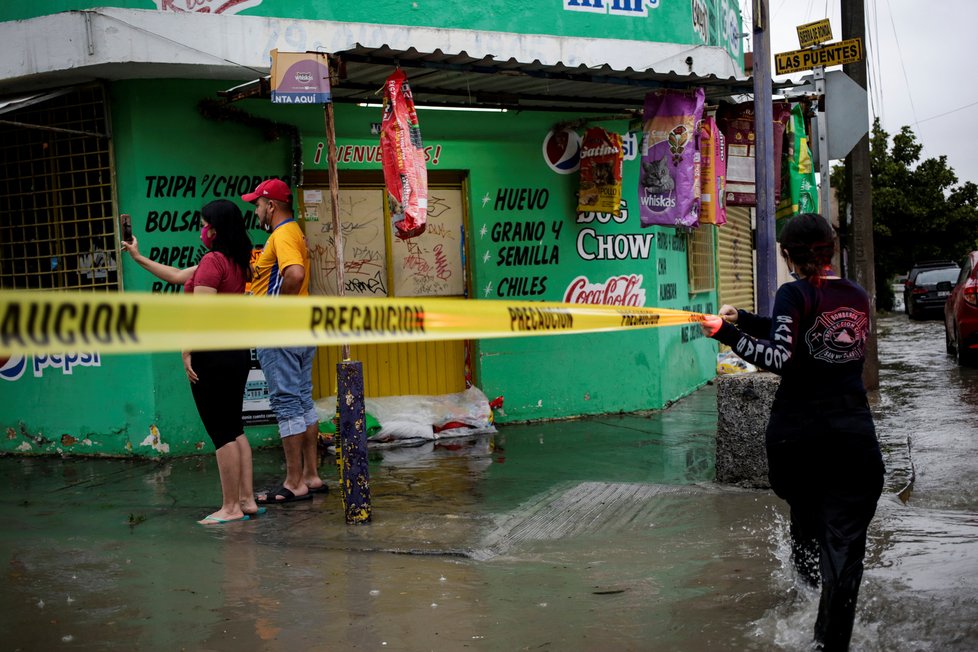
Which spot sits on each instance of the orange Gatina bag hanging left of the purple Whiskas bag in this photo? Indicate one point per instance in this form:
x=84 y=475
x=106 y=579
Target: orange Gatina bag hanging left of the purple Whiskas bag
x=601 y=163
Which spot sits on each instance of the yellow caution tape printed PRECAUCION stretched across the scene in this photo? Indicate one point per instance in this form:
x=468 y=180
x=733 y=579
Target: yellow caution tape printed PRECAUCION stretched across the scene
x=54 y=322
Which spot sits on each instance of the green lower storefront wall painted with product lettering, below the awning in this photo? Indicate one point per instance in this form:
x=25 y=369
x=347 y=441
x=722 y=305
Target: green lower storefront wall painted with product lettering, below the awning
x=168 y=157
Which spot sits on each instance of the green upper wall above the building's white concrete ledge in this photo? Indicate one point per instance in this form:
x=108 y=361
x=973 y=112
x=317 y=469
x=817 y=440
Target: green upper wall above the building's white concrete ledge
x=694 y=22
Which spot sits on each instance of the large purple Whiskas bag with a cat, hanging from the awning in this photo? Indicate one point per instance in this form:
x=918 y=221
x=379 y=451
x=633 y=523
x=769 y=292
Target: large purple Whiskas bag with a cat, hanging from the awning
x=668 y=188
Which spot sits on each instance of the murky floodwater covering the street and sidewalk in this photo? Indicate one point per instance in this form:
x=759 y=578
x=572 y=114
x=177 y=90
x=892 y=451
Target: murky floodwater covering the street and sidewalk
x=597 y=534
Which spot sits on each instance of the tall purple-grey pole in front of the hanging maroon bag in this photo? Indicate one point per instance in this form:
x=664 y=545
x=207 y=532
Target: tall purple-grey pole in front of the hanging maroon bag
x=767 y=269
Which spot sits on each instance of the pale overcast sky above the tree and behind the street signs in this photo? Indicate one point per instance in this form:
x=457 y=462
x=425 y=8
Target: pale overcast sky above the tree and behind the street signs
x=920 y=56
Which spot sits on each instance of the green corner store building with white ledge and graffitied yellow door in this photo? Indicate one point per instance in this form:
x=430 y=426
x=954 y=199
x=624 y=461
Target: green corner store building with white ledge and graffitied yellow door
x=123 y=114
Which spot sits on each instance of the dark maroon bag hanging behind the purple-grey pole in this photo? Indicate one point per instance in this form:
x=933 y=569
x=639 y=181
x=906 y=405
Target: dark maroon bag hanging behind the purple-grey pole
x=736 y=121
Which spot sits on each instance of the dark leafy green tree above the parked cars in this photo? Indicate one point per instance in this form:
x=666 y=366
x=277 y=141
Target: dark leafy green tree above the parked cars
x=919 y=210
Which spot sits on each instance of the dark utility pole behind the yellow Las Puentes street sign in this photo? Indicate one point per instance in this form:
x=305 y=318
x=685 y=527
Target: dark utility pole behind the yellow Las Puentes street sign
x=861 y=264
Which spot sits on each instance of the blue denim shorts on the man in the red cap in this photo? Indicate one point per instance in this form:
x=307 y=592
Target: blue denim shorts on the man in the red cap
x=288 y=372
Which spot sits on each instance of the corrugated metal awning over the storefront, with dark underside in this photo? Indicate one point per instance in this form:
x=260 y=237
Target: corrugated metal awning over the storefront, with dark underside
x=463 y=80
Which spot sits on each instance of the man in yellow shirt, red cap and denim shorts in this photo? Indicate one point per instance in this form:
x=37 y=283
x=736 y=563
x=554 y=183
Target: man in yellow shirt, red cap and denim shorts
x=282 y=269
